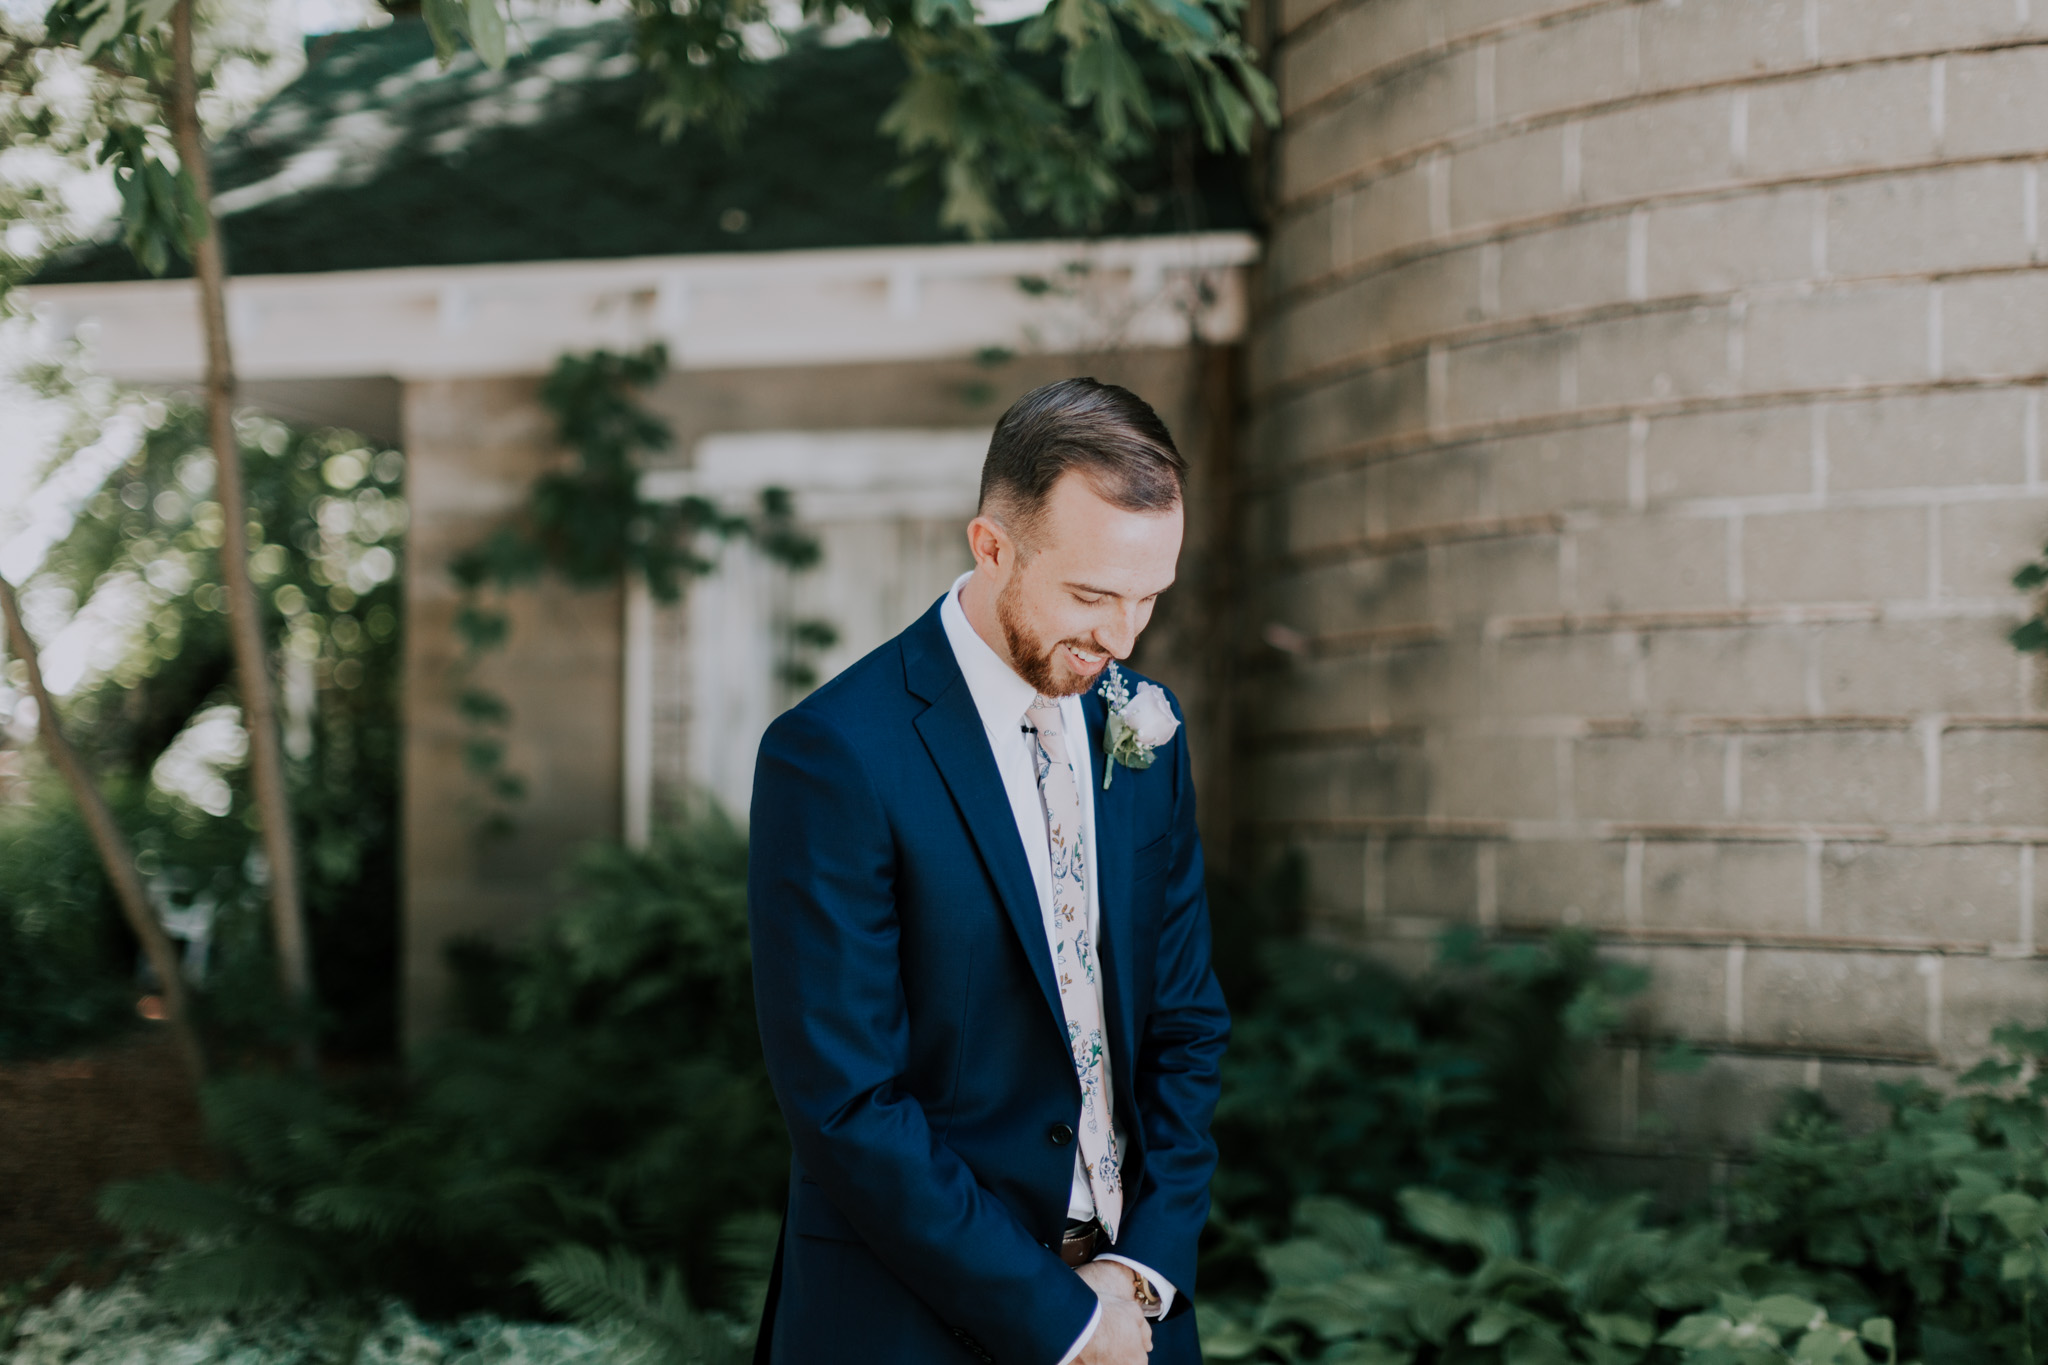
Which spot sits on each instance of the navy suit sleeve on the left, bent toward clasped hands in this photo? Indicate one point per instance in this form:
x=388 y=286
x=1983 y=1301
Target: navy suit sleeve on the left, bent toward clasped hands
x=837 y=1037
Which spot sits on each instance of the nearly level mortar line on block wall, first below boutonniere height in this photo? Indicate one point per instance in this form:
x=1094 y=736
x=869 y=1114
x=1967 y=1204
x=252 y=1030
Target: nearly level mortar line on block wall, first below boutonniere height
x=1617 y=832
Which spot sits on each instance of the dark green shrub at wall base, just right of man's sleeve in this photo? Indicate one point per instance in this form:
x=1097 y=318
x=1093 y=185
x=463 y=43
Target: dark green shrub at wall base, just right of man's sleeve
x=1347 y=1077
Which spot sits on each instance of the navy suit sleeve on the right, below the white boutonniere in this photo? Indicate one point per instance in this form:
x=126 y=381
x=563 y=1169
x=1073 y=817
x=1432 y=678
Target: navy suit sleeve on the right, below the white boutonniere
x=1179 y=1067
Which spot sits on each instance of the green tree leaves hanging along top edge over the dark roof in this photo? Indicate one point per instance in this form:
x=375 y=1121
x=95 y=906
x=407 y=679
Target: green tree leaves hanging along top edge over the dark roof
x=974 y=114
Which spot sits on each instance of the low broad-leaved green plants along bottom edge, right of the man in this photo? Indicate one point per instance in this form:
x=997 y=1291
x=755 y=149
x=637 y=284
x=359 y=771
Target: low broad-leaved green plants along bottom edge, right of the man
x=1574 y=1282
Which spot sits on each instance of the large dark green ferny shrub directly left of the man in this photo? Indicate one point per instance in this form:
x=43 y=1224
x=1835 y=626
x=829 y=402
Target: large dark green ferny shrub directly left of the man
x=607 y=1090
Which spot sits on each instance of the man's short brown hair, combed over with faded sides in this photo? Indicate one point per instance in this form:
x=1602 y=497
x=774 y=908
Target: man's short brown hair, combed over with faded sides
x=1105 y=431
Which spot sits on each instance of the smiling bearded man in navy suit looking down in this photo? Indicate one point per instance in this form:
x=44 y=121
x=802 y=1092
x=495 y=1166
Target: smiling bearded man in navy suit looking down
x=982 y=942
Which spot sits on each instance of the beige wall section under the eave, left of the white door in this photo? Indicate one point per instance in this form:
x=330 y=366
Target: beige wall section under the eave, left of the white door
x=472 y=455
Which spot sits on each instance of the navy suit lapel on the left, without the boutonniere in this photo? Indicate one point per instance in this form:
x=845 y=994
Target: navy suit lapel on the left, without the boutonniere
x=959 y=748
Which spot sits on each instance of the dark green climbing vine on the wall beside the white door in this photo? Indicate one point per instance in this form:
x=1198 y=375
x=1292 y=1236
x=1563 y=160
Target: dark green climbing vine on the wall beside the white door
x=593 y=527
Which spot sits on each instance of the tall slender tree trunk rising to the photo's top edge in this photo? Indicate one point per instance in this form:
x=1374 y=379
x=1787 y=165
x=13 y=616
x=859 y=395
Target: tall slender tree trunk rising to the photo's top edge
x=259 y=705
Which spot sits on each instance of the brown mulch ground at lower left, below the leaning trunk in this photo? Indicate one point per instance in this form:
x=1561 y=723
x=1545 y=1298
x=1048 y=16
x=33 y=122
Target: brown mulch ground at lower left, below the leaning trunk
x=71 y=1127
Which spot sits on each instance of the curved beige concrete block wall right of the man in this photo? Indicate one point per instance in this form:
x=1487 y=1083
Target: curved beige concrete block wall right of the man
x=1648 y=421
